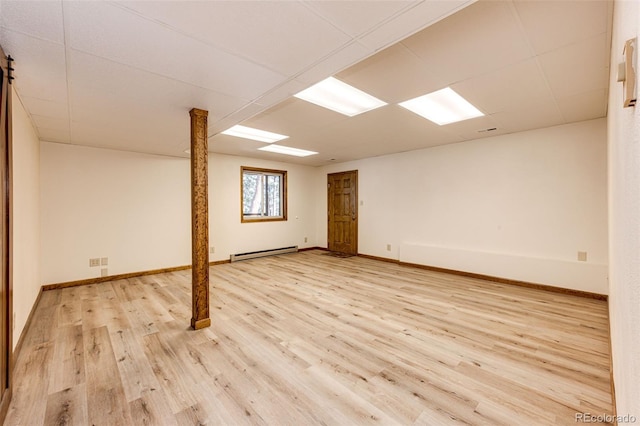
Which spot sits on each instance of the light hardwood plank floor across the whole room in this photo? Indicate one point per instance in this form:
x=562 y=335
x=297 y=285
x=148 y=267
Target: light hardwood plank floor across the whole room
x=307 y=339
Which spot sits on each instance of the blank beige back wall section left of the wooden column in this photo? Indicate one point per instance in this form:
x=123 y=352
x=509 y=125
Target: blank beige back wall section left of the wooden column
x=130 y=208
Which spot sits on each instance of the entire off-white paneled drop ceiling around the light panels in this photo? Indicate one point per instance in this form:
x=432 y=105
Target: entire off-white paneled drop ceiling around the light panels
x=124 y=75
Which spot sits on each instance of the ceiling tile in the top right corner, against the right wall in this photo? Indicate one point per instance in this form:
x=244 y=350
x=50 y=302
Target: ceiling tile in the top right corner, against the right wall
x=553 y=24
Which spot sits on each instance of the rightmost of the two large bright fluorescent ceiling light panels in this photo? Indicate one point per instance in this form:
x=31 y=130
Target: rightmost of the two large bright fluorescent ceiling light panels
x=442 y=107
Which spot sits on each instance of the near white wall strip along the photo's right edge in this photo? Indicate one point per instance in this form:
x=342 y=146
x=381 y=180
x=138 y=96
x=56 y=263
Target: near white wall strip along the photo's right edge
x=624 y=223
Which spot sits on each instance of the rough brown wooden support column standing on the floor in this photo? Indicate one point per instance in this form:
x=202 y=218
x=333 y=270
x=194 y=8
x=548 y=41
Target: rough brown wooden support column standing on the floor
x=199 y=220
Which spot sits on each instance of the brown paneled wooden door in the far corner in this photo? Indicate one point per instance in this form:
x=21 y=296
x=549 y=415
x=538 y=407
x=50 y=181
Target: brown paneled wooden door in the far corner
x=343 y=212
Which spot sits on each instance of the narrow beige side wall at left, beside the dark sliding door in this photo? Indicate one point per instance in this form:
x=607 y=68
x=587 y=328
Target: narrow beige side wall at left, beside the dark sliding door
x=26 y=221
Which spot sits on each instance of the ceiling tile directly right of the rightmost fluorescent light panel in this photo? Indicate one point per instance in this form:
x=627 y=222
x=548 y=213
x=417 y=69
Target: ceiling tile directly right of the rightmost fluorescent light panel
x=506 y=88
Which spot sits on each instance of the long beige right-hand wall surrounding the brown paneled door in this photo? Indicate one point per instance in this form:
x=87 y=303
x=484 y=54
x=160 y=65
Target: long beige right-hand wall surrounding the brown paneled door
x=517 y=206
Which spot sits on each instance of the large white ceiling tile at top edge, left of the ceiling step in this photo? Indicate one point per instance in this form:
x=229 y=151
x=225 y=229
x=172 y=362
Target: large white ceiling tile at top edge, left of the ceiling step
x=261 y=31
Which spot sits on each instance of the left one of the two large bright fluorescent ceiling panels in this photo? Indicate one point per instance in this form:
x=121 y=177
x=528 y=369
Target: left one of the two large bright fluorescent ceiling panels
x=335 y=95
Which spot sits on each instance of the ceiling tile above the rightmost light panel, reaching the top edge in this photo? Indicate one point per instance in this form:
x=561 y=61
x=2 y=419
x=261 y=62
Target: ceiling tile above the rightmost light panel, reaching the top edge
x=480 y=38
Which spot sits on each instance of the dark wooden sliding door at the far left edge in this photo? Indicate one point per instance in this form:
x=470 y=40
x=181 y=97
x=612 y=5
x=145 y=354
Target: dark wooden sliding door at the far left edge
x=5 y=282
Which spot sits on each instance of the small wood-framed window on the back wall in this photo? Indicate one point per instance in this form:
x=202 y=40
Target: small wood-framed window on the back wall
x=264 y=195
